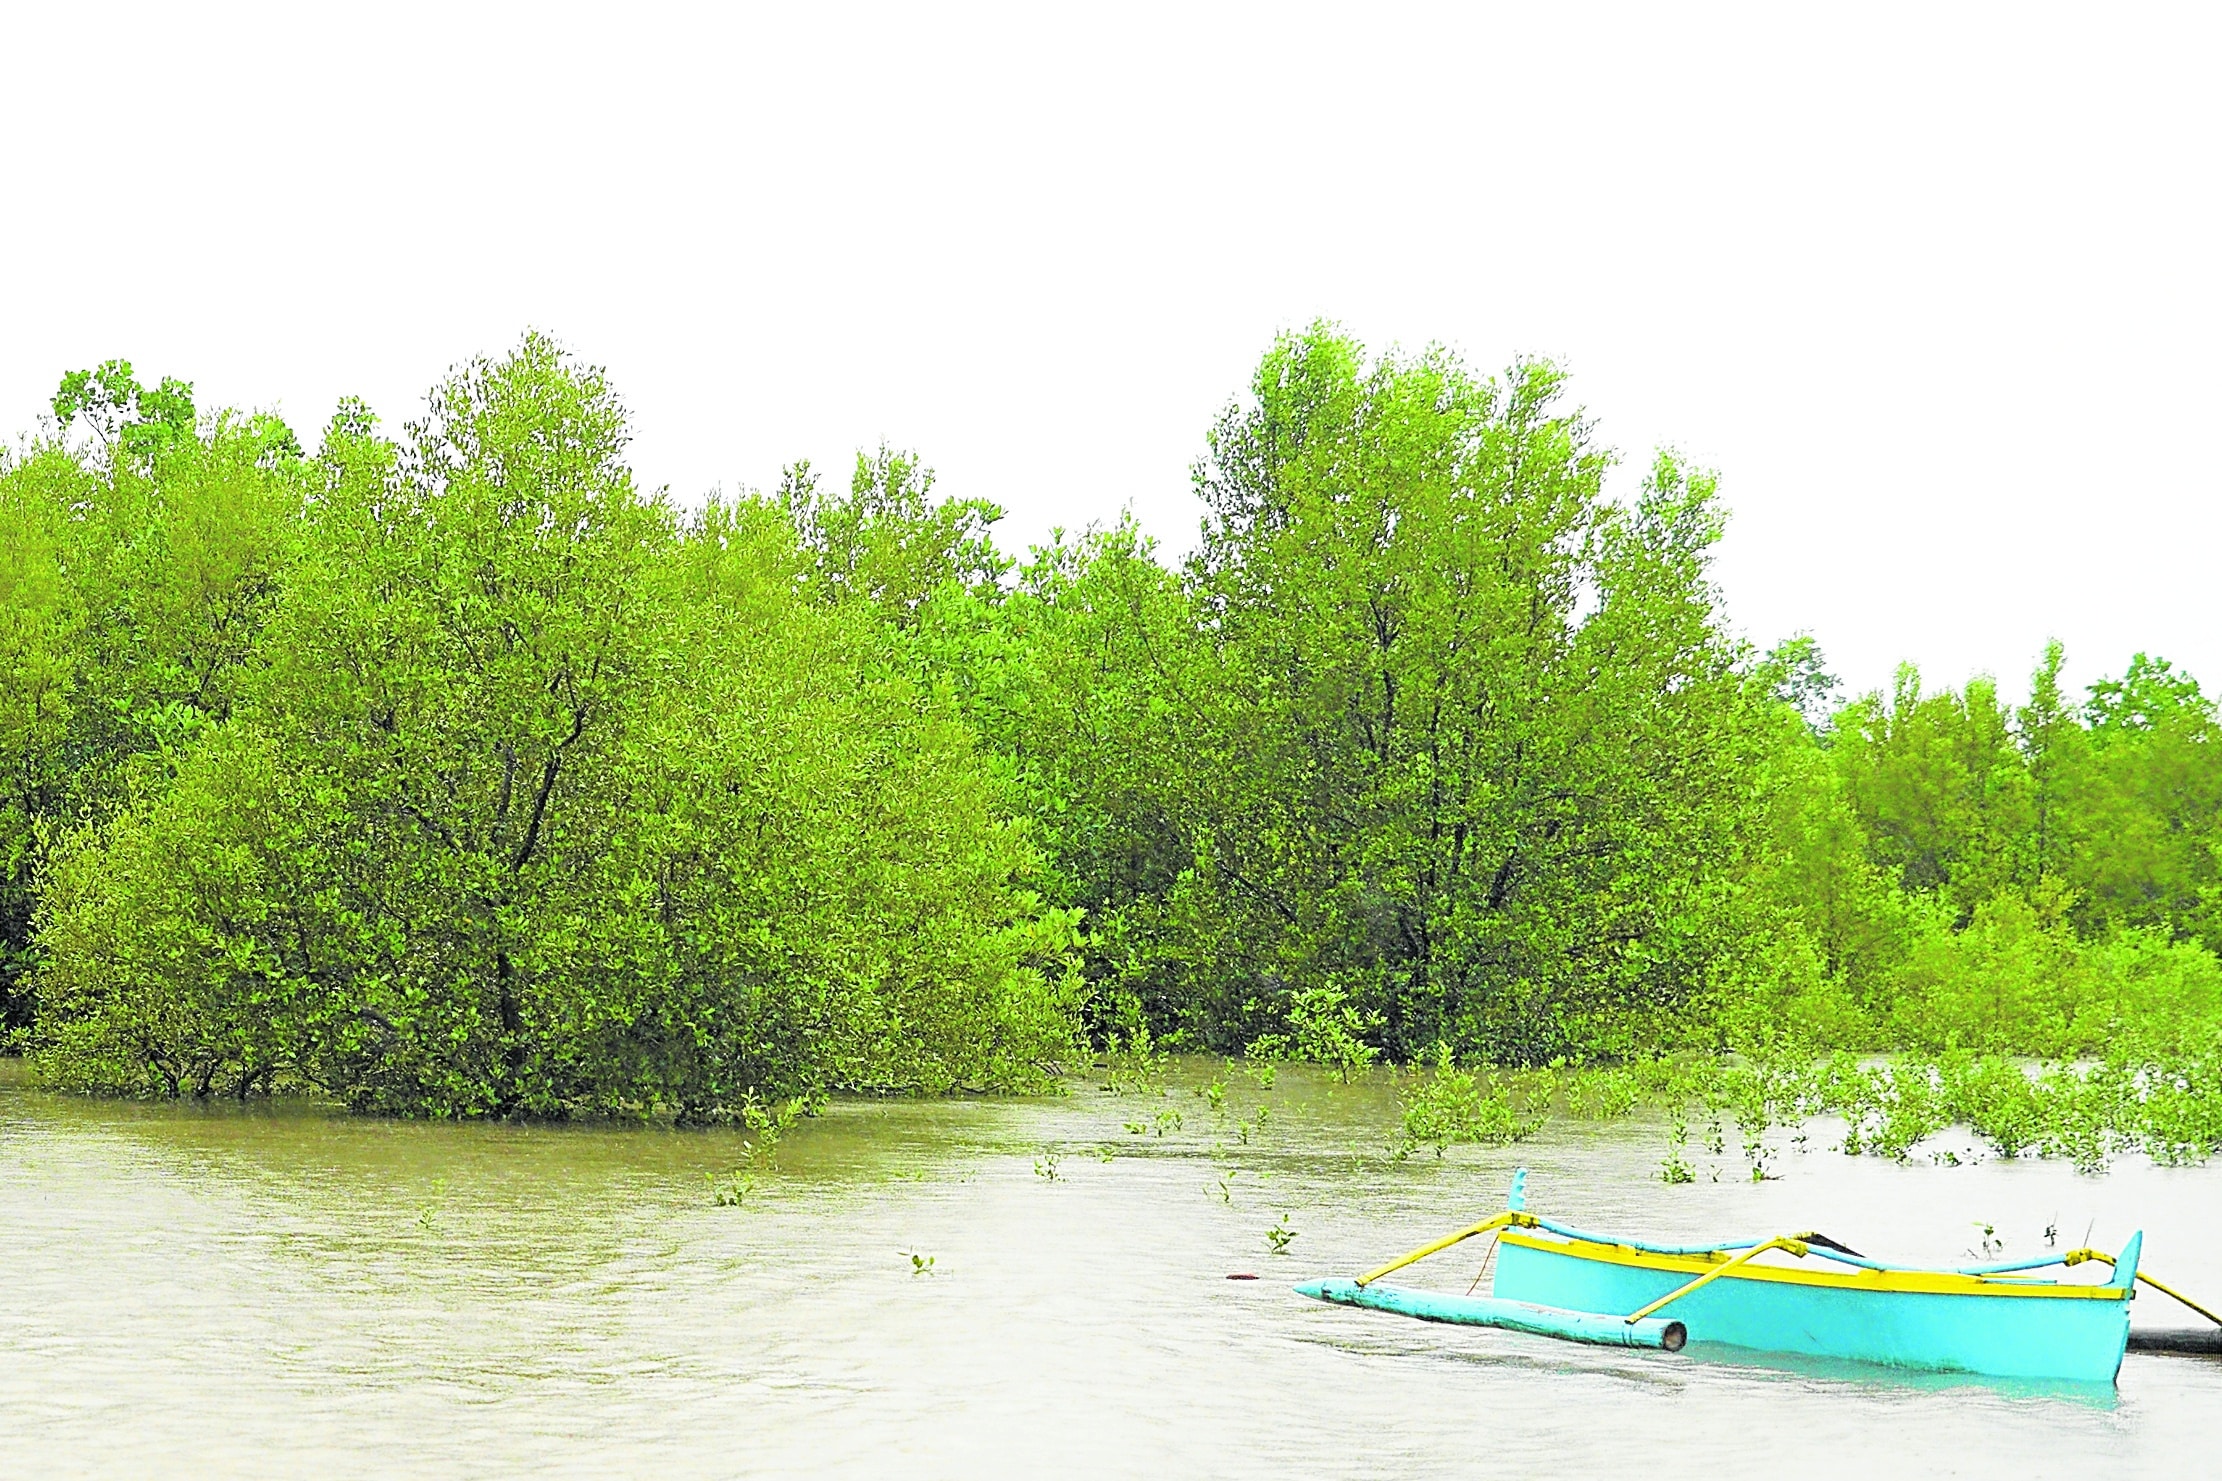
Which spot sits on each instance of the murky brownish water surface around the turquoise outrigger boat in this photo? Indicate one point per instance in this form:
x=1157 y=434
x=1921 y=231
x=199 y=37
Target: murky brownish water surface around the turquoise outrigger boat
x=281 y=1293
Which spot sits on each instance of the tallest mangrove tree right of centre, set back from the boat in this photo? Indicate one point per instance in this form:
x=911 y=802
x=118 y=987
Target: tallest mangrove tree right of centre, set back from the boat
x=1428 y=743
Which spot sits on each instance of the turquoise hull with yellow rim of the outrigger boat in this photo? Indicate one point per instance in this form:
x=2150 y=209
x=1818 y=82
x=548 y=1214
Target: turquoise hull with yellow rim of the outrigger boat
x=1903 y=1320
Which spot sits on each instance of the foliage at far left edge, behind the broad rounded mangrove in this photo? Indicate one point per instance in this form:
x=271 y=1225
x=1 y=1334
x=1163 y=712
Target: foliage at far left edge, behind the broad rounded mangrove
x=137 y=581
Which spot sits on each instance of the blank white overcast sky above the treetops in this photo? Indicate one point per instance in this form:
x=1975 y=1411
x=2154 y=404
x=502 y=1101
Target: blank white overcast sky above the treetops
x=1934 y=288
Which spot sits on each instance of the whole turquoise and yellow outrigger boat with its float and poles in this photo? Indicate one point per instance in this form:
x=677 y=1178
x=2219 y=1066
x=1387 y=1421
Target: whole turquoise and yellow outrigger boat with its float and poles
x=1630 y=1293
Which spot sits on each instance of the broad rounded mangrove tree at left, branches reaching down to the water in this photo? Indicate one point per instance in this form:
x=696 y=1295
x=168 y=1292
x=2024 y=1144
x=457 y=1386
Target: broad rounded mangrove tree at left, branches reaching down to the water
x=543 y=803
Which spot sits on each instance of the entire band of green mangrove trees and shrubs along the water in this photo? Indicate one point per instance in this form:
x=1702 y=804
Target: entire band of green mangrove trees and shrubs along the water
x=446 y=774
